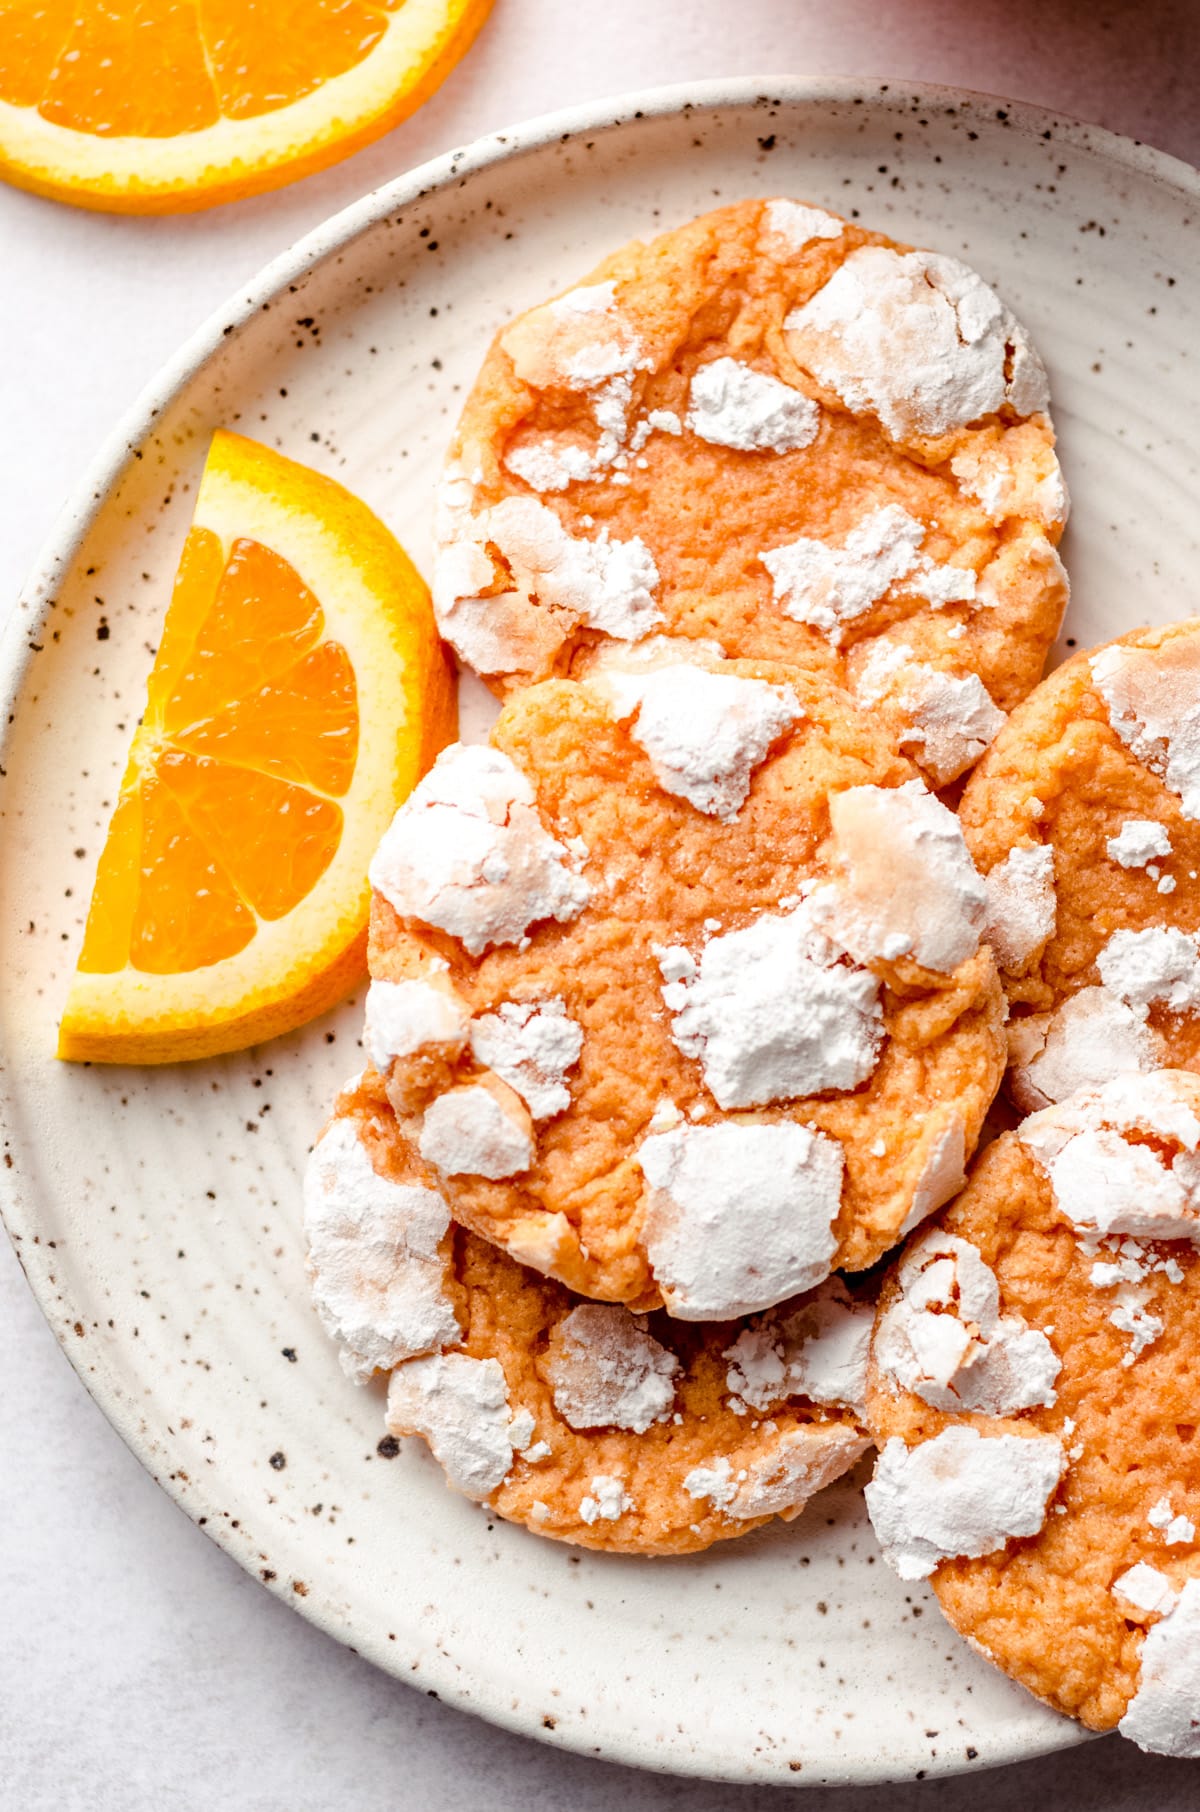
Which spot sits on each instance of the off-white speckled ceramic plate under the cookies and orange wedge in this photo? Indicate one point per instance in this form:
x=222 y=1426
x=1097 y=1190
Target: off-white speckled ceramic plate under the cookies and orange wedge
x=157 y=1213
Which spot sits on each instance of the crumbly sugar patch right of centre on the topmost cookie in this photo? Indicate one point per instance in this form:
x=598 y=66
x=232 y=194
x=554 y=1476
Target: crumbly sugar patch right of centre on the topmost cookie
x=833 y=584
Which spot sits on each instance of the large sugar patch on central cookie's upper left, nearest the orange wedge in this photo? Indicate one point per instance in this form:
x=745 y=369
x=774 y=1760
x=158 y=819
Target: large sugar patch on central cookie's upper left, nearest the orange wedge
x=469 y=854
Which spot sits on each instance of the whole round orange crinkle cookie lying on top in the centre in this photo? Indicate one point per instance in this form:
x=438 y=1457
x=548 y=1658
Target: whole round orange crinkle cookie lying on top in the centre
x=679 y=988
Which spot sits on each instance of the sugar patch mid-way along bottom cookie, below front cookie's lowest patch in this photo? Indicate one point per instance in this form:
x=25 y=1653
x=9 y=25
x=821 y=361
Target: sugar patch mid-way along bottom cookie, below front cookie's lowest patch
x=608 y=1373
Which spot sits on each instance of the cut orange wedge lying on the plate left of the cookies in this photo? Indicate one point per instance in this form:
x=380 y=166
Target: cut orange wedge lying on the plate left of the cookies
x=298 y=697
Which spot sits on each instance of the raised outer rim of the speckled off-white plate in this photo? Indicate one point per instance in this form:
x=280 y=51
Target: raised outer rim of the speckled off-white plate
x=17 y=1210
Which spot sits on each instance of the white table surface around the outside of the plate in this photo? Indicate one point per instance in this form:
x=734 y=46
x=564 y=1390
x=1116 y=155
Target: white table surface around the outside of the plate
x=140 y=1670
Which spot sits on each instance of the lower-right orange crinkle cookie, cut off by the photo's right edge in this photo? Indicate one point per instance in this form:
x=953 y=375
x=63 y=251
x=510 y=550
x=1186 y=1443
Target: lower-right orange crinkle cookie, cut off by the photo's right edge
x=1034 y=1383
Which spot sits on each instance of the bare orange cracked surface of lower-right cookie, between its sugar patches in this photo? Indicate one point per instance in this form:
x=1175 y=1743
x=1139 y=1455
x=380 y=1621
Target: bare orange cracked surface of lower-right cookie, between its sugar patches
x=1043 y=1608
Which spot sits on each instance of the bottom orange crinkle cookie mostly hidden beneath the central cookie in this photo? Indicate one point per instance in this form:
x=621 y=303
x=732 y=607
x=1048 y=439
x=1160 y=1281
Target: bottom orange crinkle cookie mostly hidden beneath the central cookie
x=579 y=1420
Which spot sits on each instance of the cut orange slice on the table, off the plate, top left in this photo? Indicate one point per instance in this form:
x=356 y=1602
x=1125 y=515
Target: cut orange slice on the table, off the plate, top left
x=160 y=106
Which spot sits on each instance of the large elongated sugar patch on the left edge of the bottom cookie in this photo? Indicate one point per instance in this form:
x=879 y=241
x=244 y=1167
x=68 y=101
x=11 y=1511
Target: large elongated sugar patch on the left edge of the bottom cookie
x=378 y=1275
